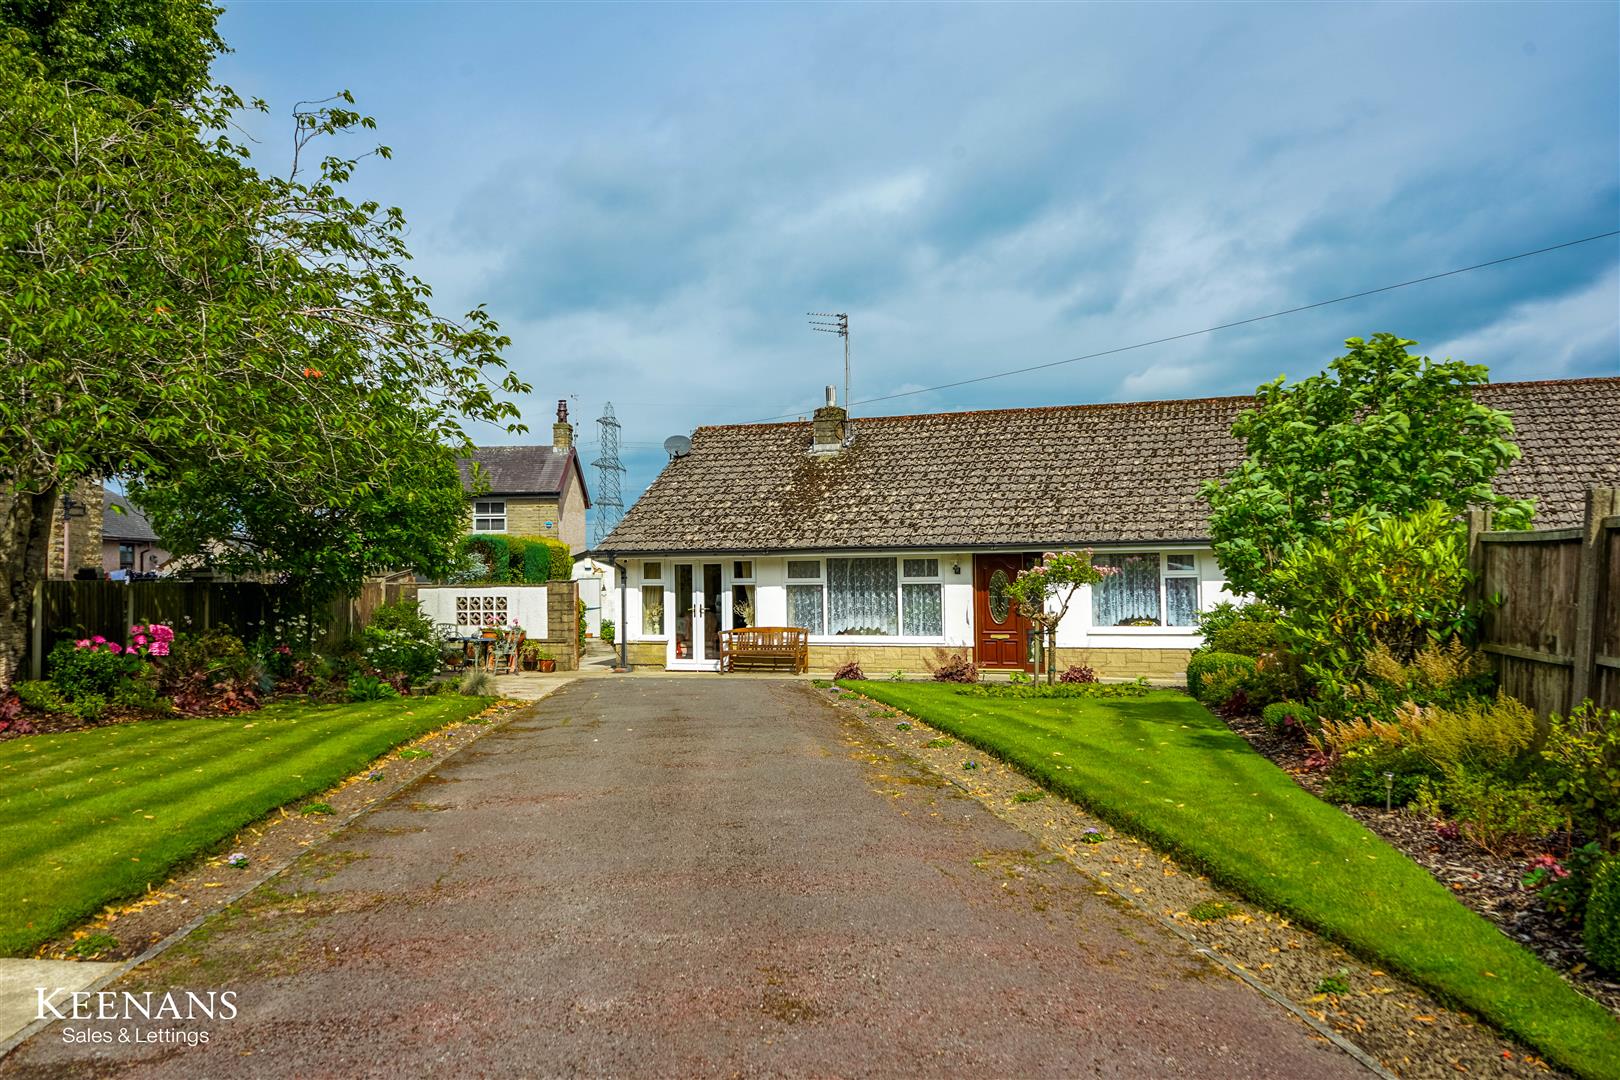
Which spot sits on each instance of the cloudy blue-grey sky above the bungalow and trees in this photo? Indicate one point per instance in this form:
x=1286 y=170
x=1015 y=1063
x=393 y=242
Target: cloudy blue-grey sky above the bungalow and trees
x=652 y=197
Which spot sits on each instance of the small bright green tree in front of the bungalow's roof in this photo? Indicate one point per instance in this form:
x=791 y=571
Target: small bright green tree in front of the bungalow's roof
x=1381 y=433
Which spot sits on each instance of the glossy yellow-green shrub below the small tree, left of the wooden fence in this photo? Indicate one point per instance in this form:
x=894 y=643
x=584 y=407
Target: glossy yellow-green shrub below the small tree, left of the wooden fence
x=1394 y=582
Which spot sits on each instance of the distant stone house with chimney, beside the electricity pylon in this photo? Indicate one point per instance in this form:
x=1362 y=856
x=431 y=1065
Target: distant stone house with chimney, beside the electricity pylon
x=529 y=491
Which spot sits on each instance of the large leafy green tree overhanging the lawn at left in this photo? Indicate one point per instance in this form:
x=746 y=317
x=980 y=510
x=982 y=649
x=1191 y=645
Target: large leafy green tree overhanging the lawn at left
x=177 y=318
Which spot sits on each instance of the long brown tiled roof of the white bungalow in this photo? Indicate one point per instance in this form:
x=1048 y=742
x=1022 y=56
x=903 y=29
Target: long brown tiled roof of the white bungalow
x=1070 y=475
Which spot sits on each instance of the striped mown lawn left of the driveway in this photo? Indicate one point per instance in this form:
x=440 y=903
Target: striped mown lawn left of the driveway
x=95 y=817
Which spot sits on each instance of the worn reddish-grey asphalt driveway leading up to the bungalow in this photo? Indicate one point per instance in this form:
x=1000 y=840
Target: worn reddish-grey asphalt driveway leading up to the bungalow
x=694 y=877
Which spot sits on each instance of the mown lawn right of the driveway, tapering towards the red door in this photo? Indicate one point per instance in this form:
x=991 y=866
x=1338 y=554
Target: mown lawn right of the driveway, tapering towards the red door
x=1162 y=768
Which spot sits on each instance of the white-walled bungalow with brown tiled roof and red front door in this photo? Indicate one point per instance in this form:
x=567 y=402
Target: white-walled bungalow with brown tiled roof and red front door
x=893 y=537
